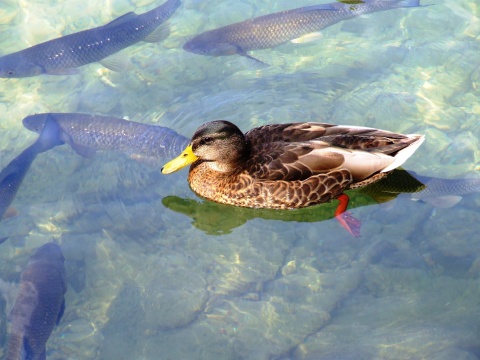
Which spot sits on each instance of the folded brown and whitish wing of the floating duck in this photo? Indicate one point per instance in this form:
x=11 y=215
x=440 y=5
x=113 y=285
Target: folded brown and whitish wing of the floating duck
x=298 y=151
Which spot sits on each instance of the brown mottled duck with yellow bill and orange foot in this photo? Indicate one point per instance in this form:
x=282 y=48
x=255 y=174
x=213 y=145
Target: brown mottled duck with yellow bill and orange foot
x=291 y=165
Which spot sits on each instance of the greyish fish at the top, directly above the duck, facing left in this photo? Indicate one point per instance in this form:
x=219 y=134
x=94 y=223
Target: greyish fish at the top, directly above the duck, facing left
x=296 y=25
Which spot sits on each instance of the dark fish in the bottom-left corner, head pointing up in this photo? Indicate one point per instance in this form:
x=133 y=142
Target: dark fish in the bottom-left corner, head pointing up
x=40 y=304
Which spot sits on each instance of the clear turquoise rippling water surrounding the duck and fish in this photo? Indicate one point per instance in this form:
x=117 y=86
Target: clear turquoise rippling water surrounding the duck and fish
x=146 y=281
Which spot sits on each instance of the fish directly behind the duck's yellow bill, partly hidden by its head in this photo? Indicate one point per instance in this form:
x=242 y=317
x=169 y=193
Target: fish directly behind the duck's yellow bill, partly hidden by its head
x=88 y=133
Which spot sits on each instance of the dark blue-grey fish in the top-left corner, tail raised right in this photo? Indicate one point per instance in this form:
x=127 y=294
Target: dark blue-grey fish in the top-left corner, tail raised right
x=62 y=56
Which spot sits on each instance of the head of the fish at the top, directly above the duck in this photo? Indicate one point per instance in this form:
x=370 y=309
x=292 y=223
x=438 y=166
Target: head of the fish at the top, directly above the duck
x=210 y=45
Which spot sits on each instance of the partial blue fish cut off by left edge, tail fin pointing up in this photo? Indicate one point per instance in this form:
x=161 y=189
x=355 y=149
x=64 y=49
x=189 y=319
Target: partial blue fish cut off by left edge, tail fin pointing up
x=12 y=175
